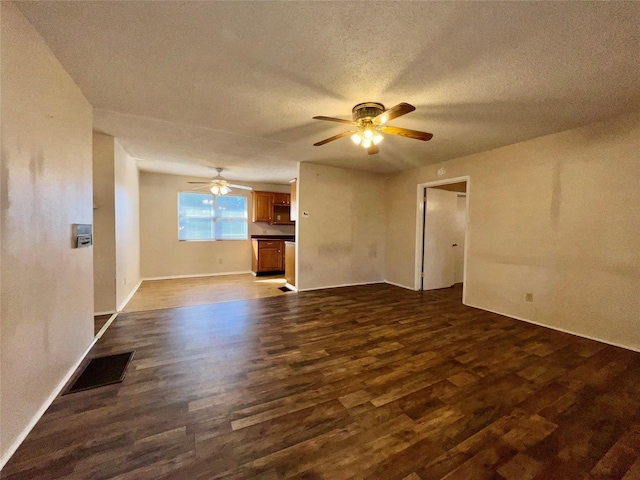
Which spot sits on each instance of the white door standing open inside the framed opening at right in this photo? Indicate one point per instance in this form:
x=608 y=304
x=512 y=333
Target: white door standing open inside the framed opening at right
x=441 y=208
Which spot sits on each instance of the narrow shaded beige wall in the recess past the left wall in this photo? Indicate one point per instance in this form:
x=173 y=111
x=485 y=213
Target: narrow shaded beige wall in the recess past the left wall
x=104 y=227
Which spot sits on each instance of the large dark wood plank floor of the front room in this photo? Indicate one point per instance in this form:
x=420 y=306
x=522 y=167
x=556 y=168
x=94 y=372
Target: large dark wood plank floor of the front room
x=370 y=382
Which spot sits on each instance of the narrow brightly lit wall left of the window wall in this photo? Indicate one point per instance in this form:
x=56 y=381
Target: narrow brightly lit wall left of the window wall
x=127 y=224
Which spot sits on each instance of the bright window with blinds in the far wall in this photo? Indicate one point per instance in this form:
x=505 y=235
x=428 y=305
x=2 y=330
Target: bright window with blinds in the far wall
x=202 y=216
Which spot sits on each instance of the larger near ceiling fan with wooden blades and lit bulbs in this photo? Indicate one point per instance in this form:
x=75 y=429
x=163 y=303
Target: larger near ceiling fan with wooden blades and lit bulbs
x=370 y=120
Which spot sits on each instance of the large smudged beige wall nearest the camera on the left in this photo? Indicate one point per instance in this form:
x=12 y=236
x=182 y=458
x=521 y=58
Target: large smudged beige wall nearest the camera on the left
x=47 y=286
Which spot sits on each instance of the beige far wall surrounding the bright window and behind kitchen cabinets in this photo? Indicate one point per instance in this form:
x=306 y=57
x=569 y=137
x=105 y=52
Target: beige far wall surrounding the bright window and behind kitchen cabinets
x=162 y=255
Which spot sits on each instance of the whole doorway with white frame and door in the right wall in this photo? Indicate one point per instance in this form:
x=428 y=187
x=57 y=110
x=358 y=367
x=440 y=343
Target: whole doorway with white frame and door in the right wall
x=442 y=234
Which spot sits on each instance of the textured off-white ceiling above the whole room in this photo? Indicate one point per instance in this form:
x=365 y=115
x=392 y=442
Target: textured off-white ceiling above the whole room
x=185 y=85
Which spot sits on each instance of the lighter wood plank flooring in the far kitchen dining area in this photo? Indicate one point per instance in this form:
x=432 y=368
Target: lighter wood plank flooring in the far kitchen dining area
x=180 y=292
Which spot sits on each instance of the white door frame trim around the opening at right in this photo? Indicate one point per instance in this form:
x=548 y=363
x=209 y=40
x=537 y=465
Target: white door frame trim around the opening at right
x=420 y=217
